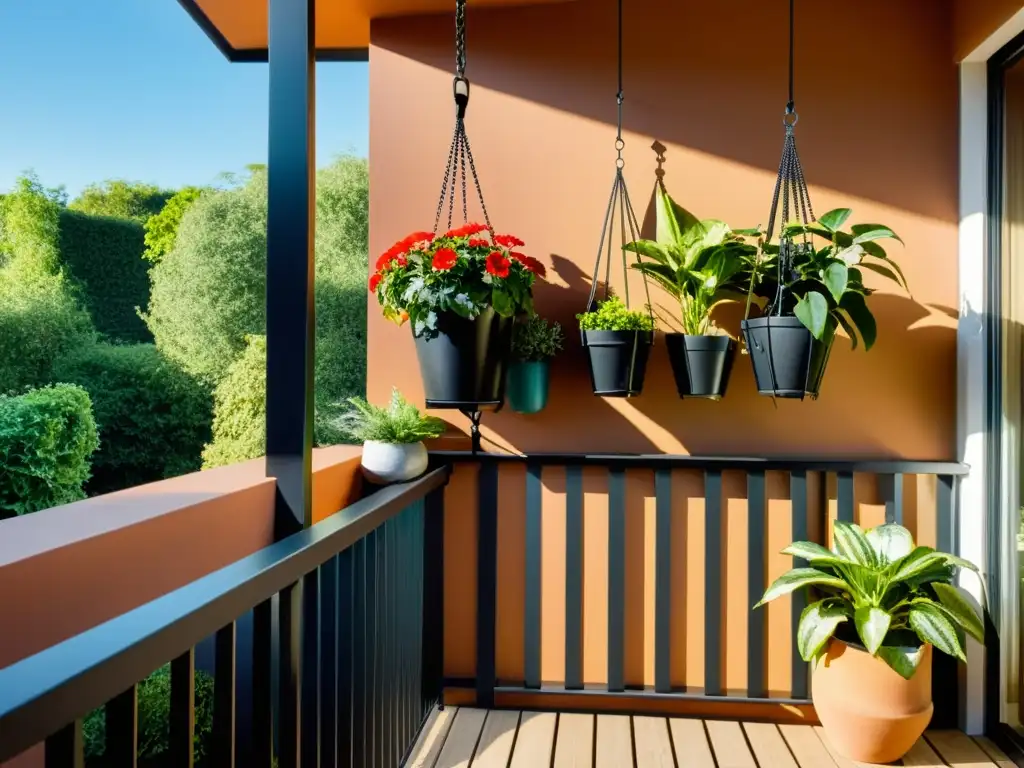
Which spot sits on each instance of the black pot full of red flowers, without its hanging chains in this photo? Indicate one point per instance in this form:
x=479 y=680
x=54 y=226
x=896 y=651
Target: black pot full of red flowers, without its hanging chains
x=460 y=292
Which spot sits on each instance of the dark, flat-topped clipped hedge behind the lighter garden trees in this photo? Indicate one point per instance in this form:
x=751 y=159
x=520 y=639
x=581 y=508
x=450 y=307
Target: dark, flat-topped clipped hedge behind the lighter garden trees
x=104 y=255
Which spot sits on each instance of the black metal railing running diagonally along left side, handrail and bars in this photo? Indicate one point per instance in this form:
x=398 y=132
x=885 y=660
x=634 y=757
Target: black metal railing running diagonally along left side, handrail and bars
x=346 y=660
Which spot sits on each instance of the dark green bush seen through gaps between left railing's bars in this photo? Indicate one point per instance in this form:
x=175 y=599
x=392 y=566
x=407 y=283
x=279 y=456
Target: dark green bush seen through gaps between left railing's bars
x=155 y=722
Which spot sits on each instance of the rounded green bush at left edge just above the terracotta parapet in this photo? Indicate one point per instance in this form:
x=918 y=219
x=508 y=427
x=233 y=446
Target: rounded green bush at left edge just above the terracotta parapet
x=47 y=439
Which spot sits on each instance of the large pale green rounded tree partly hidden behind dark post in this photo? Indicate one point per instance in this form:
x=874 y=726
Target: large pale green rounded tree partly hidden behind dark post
x=209 y=292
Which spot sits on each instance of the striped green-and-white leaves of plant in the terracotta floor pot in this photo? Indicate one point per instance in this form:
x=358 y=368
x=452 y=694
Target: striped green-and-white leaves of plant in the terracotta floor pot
x=897 y=595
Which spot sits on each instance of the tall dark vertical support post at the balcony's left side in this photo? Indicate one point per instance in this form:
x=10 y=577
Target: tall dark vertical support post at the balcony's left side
x=290 y=228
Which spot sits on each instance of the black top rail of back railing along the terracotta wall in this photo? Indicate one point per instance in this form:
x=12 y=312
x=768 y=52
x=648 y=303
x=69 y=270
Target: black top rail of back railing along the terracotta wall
x=670 y=461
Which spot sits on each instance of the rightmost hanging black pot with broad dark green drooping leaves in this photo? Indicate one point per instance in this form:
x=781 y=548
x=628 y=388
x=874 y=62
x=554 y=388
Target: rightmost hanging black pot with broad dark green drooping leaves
x=821 y=290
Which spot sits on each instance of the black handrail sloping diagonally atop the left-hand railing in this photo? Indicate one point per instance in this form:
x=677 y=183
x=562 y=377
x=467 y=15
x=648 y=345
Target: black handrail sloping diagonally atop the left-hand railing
x=42 y=694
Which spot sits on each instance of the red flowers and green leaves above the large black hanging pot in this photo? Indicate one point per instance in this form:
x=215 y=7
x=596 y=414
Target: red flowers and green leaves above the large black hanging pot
x=465 y=271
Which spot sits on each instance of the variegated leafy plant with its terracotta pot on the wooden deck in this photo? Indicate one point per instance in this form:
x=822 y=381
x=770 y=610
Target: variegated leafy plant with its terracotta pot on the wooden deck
x=882 y=606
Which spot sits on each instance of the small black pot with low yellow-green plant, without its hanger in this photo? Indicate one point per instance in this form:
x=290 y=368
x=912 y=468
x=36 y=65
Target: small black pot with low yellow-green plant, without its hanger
x=618 y=343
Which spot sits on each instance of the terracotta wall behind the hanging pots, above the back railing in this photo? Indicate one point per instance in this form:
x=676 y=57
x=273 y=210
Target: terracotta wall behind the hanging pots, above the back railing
x=878 y=133
